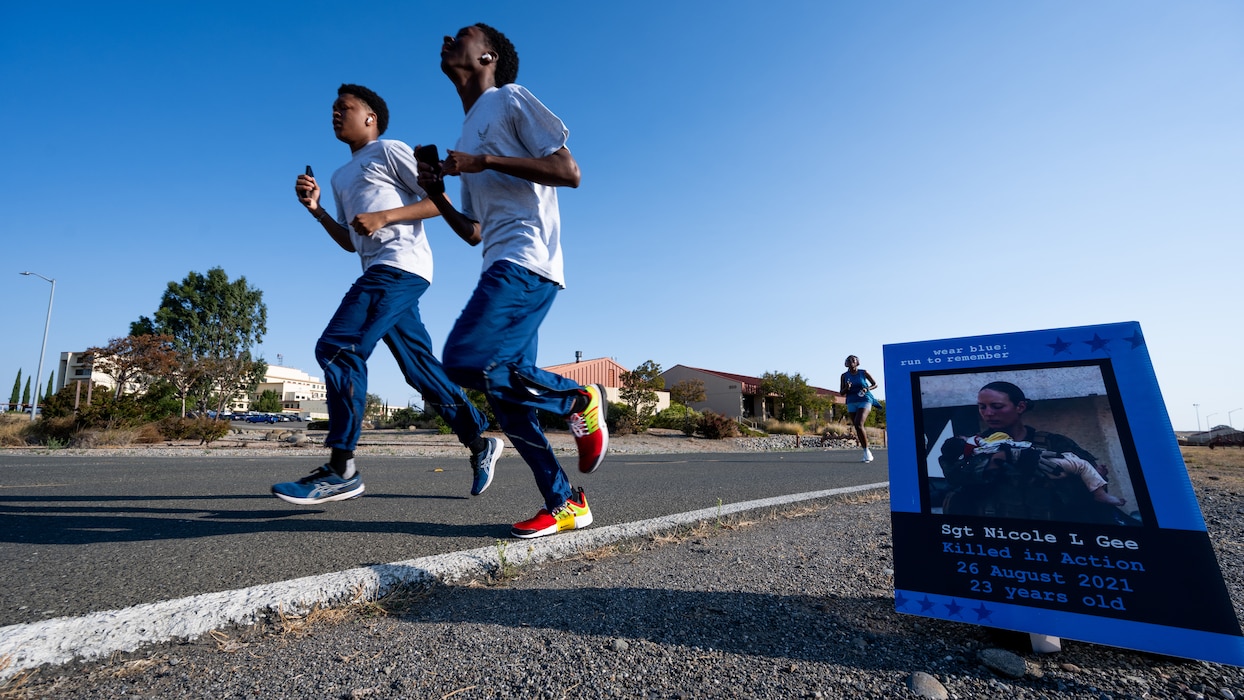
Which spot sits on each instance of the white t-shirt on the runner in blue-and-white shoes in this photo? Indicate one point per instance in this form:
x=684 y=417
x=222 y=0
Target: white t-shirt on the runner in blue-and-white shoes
x=384 y=176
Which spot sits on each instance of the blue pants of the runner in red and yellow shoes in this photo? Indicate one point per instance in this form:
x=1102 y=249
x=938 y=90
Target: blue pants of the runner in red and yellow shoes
x=493 y=349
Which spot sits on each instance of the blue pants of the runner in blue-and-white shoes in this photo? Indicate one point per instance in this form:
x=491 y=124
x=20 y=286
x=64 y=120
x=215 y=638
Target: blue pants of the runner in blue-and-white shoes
x=385 y=304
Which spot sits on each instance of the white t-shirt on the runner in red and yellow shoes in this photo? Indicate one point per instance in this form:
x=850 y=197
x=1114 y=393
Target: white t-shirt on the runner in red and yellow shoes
x=519 y=219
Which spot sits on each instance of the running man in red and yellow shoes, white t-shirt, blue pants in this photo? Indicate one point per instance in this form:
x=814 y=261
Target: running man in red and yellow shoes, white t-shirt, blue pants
x=512 y=157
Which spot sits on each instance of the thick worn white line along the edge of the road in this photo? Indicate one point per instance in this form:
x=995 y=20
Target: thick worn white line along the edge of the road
x=98 y=635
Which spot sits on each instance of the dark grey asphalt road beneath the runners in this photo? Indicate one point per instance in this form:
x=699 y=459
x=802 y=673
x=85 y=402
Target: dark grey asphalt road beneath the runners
x=83 y=535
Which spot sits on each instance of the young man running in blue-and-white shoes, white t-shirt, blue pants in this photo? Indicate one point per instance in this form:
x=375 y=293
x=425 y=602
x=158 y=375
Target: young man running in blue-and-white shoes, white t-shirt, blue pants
x=380 y=216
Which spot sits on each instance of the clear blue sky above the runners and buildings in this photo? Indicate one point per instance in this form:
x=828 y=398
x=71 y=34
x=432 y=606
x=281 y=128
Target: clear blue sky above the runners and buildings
x=767 y=187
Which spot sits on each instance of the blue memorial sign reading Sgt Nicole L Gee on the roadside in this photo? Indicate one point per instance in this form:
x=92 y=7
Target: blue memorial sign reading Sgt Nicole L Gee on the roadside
x=1010 y=533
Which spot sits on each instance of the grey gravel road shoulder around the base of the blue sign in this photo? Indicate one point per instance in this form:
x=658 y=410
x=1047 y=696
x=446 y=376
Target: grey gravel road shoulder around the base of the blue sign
x=769 y=605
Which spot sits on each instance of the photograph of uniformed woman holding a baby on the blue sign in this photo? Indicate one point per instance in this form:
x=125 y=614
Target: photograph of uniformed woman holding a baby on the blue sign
x=1028 y=443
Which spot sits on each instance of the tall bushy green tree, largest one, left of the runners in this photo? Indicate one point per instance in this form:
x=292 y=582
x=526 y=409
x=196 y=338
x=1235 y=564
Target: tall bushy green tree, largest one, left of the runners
x=215 y=324
